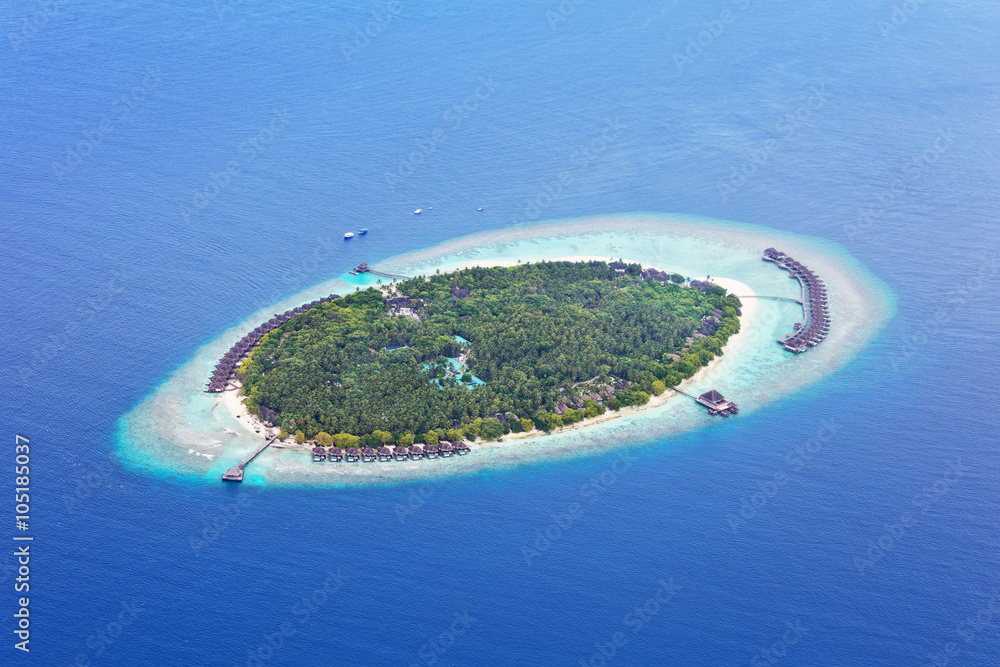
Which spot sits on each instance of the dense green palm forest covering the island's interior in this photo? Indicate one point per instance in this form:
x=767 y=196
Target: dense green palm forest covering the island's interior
x=544 y=337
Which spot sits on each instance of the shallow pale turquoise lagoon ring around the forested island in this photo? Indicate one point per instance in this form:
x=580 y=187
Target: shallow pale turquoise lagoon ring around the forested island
x=178 y=418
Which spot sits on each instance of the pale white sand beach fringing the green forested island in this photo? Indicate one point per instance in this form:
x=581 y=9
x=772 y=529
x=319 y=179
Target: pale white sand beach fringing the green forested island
x=232 y=401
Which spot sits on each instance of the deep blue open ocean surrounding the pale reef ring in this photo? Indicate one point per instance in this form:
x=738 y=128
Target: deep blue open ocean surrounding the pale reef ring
x=169 y=167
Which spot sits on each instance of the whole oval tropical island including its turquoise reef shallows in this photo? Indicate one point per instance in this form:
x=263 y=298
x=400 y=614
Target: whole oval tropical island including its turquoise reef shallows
x=193 y=430
